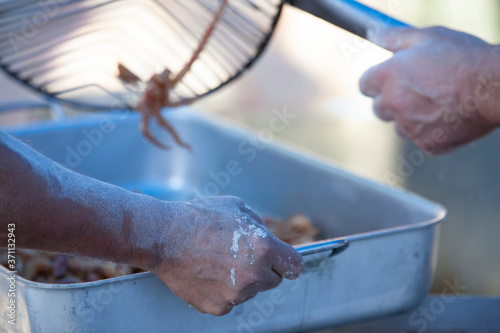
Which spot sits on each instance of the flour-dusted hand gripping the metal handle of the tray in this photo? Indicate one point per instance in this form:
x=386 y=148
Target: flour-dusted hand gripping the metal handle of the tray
x=220 y=254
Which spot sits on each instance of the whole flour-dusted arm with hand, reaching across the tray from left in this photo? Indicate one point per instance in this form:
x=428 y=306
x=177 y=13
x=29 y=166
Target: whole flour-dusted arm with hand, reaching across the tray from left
x=190 y=245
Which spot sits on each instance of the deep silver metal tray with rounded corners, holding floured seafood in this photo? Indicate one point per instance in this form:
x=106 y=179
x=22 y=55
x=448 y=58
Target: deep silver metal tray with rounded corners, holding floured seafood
x=386 y=269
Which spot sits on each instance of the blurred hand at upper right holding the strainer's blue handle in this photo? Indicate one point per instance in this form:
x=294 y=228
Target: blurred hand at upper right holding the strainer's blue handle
x=441 y=87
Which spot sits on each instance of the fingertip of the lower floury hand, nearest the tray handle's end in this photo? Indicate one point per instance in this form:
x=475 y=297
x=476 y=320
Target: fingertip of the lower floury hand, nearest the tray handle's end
x=286 y=261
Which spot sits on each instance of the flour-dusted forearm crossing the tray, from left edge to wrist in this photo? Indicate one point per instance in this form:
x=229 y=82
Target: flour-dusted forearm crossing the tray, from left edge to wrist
x=57 y=210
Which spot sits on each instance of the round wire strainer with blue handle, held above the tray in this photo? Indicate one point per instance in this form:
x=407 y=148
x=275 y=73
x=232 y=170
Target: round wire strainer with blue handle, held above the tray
x=71 y=50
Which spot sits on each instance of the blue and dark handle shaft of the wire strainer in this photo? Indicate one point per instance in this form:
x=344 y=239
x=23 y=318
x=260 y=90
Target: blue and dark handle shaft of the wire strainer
x=348 y=14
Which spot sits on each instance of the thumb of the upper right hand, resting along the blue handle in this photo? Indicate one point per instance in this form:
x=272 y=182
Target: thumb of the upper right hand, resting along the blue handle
x=395 y=39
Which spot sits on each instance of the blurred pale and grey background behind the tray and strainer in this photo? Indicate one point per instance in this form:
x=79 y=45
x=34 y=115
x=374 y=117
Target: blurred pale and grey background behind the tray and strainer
x=312 y=69
